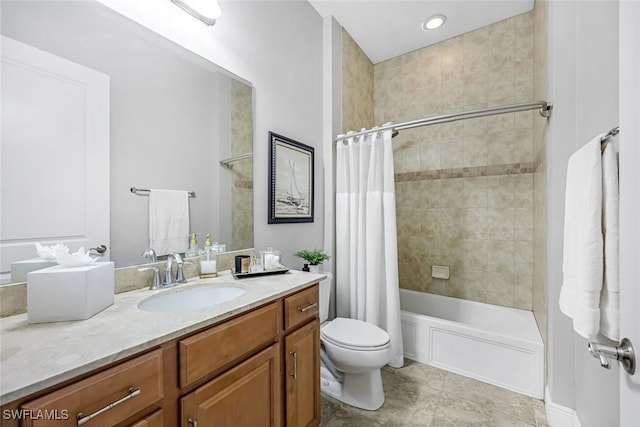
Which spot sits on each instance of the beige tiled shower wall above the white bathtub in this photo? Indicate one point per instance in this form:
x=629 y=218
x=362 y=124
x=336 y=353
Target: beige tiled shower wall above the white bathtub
x=464 y=189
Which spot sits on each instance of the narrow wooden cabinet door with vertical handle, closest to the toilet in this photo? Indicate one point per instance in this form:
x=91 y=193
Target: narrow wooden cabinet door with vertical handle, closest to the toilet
x=302 y=399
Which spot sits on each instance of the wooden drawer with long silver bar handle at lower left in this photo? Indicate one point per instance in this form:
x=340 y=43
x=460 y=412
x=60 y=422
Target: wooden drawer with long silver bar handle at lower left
x=106 y=398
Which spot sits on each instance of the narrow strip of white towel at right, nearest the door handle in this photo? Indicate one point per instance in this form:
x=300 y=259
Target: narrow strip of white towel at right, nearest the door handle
x=610 y=301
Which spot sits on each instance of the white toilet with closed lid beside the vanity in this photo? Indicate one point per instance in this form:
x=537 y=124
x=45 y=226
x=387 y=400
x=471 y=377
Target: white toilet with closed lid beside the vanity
x=354 y=351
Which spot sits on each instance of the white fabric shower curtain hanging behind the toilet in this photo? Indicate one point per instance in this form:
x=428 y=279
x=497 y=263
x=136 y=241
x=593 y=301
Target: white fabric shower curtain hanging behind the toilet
x=366 y=238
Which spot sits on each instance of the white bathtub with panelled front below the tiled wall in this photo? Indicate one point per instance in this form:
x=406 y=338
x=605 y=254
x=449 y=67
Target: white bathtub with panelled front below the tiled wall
x=497 y=345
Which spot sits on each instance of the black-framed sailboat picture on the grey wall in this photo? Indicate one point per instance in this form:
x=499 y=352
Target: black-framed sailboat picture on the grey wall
x=290 y=180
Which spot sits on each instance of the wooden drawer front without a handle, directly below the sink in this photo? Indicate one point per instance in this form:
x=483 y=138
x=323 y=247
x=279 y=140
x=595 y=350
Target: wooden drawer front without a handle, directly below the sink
x=208 y=351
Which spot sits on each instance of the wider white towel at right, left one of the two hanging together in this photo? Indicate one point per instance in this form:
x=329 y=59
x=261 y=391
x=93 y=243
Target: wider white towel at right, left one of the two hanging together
x=583 y=246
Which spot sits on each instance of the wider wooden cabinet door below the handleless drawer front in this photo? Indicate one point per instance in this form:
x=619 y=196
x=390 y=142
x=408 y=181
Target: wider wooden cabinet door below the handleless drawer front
x=246 y=395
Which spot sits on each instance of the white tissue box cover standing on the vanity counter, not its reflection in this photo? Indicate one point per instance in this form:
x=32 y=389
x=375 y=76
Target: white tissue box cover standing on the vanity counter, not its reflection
x=58 y=293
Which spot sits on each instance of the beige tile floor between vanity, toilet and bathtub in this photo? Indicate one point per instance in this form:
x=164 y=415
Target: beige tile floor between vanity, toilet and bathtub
x=419 y=395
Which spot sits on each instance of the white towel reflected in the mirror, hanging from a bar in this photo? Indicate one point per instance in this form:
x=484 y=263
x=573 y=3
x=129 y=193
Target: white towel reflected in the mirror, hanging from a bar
x=168 y=221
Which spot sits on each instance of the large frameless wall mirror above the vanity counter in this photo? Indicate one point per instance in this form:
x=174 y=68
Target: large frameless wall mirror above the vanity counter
x=172 y=117
